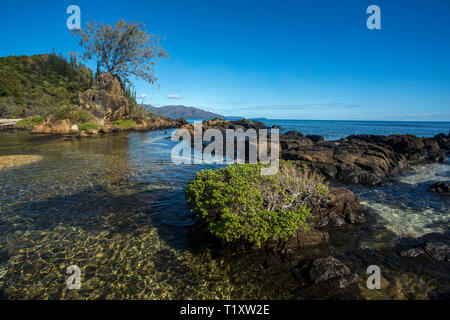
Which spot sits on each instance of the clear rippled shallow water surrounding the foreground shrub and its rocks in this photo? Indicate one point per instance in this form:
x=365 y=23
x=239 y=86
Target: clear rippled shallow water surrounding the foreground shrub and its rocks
x=114 y=206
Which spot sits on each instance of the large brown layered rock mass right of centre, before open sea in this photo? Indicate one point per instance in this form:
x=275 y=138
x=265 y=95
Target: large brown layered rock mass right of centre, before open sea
x=359 y=159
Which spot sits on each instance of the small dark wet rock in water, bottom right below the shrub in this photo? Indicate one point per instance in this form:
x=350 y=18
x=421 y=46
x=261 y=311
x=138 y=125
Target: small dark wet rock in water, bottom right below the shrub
x=325 y=270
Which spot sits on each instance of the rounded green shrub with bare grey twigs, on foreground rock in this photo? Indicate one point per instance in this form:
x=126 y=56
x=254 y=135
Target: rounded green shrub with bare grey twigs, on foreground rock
x=238 y=203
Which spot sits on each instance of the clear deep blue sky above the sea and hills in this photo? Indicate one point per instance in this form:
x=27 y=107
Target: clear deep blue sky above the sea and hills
x=275 y=59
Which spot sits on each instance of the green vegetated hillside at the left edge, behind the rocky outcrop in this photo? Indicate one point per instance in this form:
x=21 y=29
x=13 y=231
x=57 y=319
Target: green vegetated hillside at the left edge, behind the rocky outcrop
x=36 y=85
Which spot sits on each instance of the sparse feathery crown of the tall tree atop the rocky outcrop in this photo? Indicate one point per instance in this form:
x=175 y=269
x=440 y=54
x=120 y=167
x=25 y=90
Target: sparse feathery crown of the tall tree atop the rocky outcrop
x=124 y=50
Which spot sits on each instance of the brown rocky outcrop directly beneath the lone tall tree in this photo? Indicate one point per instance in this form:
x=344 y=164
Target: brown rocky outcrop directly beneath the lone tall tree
x=105 y=99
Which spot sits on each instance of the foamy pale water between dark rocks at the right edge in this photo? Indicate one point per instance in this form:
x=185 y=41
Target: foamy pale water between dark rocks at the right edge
x=405 y=207
